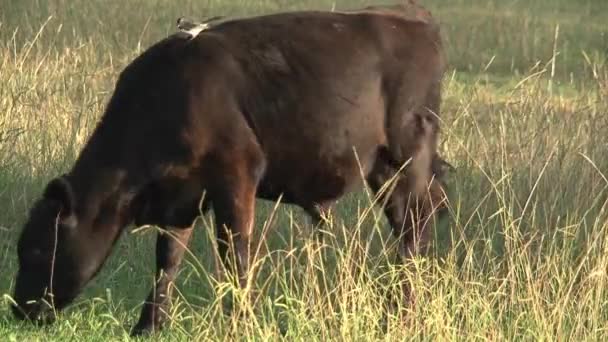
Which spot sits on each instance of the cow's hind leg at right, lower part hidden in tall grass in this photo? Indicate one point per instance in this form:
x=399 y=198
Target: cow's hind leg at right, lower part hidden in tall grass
x=419 y=193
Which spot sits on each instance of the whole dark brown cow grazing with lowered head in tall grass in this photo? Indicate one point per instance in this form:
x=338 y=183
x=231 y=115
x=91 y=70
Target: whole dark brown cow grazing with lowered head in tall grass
x=298 y=104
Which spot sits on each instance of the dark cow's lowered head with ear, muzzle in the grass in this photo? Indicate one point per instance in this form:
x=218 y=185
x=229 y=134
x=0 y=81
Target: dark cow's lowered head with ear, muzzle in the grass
x=56 y=253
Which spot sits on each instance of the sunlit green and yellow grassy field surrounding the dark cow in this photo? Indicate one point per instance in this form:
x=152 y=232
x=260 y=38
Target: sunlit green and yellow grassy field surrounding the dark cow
x=525 y=254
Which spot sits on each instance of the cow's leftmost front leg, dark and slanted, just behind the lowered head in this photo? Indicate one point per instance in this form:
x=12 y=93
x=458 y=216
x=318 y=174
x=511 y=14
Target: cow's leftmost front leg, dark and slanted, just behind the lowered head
x=170 y=247
